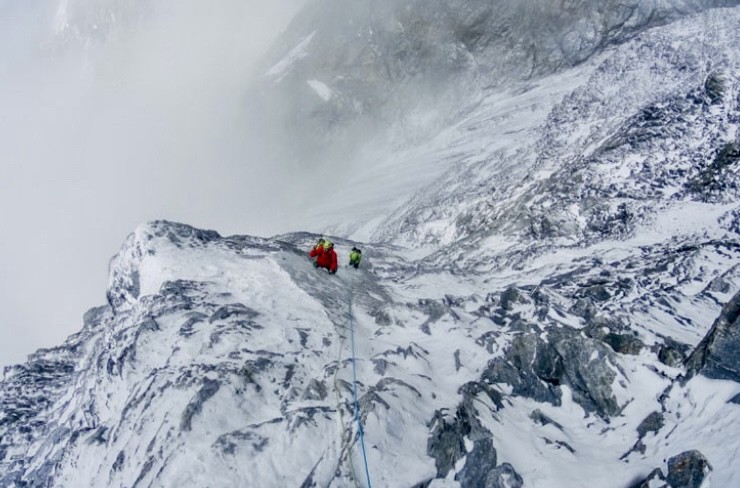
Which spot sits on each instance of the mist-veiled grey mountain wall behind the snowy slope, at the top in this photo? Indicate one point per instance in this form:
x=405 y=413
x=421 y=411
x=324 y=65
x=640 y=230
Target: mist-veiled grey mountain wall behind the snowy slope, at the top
x=402 y=69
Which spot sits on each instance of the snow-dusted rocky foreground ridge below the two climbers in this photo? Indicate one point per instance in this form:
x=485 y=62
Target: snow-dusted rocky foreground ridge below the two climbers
x=234 y=352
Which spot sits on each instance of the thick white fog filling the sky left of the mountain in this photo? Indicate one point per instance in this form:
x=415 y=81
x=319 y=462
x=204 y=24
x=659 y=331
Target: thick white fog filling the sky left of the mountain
x=102 y=129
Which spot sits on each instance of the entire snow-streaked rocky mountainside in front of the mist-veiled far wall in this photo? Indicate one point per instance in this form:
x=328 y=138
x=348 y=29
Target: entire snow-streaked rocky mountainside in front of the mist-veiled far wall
x=549 y=298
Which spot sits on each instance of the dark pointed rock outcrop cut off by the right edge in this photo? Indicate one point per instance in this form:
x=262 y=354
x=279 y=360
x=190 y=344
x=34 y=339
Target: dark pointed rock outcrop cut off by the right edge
x=718 y=355
